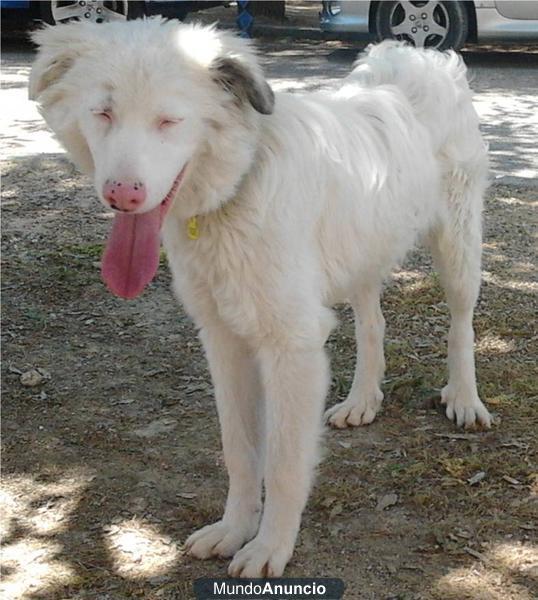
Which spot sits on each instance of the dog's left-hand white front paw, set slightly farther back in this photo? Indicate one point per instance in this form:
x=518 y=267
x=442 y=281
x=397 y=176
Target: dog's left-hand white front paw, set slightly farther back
x=219 y=539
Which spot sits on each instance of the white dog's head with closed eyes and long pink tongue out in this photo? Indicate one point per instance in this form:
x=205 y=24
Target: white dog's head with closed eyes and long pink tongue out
x=143 y=107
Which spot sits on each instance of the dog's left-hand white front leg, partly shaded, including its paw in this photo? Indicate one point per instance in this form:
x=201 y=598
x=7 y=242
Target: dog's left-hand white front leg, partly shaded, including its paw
x=238 y=394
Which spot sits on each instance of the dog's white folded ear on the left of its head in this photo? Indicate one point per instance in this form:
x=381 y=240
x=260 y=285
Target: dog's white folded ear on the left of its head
x=58 y=48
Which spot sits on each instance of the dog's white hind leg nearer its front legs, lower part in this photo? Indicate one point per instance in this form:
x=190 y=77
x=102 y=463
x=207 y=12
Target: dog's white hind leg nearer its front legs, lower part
x=364 y=399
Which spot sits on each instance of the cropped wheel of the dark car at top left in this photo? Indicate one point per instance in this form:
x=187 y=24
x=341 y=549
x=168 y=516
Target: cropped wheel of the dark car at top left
x=98 y=12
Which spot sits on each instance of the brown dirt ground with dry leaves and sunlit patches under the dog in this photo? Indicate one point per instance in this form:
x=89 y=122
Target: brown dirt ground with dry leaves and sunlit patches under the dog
x=112 y=458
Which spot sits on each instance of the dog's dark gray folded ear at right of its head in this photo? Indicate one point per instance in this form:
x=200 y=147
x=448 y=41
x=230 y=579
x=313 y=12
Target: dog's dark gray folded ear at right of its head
x=239 y=81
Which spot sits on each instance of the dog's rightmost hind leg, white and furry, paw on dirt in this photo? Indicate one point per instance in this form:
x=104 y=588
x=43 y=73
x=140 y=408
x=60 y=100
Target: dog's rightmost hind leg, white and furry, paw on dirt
x=456 y=248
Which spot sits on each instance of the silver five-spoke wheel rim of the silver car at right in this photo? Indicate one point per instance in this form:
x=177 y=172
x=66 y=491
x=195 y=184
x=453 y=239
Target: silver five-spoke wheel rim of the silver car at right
x=424 y=24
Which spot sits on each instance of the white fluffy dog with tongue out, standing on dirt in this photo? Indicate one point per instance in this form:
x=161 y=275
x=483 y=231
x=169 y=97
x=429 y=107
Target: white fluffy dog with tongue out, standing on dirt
x=273 y=208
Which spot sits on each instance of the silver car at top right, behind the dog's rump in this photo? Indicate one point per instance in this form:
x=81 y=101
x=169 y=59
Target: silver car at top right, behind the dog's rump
x=439 y=24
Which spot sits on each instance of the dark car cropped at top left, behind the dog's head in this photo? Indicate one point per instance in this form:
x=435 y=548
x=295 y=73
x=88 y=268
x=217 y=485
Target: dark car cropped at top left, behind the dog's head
x=99 y=12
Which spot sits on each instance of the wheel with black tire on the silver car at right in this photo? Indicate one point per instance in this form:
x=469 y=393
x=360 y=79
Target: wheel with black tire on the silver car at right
x=439 y=24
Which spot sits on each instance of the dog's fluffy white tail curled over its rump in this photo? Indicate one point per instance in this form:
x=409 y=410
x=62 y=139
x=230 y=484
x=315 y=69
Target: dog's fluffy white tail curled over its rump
x=435 y=84
